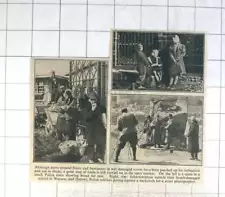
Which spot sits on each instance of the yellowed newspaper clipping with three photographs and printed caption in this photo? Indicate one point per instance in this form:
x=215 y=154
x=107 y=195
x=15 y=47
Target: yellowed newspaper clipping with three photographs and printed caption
x=135 y=117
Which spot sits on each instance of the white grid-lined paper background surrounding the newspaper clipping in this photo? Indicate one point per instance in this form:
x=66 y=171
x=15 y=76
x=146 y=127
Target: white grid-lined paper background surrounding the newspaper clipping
x=80 y=28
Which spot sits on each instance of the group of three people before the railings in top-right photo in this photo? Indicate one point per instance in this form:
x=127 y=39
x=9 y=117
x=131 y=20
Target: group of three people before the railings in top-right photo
x=162 y=67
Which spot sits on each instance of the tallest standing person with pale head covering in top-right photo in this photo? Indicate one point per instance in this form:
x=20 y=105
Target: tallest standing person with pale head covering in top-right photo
x=176 y=53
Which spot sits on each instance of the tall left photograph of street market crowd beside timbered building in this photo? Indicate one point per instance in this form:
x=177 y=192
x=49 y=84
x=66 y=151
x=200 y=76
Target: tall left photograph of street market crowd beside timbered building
x=70 y=110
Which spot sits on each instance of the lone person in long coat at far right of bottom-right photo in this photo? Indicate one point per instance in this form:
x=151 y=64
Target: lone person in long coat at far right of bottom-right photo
x=193 y=138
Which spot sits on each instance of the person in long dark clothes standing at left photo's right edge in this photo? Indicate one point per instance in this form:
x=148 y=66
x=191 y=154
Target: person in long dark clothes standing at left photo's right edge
x=96 y=129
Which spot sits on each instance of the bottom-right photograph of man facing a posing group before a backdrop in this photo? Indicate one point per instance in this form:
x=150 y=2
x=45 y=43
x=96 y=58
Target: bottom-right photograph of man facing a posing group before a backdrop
x=156 y=129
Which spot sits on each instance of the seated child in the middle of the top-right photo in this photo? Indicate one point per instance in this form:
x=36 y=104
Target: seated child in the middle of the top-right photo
x=156 y=67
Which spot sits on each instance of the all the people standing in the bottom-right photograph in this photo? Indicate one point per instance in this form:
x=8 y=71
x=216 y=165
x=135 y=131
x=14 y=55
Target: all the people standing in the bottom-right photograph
x=157 y=133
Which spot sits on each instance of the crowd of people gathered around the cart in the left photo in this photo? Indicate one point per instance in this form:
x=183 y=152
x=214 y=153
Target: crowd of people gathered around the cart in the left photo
x=79 y=115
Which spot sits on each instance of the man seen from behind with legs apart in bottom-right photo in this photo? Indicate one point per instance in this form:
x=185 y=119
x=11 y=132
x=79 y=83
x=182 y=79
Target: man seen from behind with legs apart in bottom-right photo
x=126 y=124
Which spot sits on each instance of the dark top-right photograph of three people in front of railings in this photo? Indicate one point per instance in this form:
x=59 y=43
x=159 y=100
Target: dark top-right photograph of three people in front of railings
x=157 y=61
